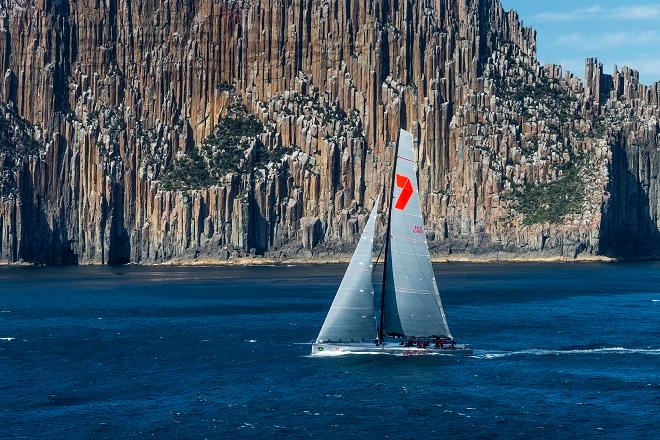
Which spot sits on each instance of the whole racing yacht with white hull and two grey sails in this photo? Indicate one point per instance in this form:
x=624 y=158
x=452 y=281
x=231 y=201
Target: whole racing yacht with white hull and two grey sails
x=411 y=319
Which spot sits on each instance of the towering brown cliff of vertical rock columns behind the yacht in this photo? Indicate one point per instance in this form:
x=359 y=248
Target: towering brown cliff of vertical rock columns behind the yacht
x=118 y=142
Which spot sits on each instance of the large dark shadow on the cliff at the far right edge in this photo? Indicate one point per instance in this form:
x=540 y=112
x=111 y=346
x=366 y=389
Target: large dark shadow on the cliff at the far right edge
x=628 y=229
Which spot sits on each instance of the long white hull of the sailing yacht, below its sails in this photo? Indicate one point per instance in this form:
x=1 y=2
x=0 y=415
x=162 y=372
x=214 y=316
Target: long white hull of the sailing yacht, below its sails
x=322 y=349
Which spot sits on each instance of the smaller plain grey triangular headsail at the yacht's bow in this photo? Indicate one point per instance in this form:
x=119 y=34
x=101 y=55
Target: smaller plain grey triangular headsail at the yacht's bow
x=351 y=317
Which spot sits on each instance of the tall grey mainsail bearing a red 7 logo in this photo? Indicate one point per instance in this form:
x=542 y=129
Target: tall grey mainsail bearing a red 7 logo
x=411 y=302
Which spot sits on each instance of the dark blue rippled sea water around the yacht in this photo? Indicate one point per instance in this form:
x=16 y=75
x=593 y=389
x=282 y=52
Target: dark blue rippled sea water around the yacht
x=562 y=352
